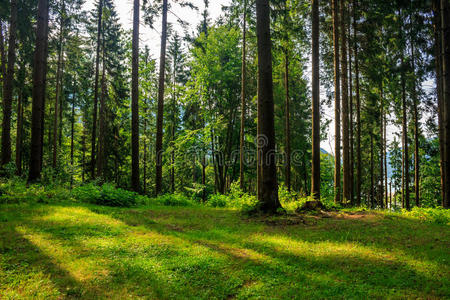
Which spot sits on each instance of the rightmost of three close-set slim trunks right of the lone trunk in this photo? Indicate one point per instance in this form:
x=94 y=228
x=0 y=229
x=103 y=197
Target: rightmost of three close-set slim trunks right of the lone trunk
x=358 y=111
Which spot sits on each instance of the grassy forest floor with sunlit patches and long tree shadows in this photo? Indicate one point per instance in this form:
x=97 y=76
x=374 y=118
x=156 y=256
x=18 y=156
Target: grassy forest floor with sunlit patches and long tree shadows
x=50 y=251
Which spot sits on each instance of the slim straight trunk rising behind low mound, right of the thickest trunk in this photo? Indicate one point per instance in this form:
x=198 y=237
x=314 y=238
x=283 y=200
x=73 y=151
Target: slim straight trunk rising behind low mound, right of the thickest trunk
x=315 y=171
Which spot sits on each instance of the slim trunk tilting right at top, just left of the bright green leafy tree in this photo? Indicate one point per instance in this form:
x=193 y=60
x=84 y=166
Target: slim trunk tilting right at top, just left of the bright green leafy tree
x=160 y=115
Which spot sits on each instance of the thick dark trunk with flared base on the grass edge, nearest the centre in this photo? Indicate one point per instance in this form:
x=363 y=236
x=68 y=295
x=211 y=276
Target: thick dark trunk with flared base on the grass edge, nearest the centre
x=268 y=195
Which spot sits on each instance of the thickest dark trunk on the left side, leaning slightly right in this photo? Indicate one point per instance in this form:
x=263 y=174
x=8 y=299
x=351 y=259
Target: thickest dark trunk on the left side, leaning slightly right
x=39 y=80
